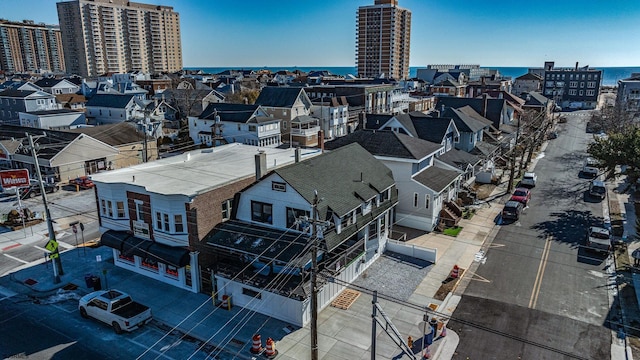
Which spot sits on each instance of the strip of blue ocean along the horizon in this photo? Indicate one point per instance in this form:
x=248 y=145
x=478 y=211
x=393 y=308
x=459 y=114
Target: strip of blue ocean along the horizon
x=610 y=75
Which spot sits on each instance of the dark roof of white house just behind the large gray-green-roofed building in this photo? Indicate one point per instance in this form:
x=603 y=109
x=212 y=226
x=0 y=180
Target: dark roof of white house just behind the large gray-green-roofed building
x=387 y=143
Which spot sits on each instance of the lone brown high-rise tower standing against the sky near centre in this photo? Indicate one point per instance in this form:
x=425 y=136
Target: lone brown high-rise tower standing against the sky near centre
x=382 y=40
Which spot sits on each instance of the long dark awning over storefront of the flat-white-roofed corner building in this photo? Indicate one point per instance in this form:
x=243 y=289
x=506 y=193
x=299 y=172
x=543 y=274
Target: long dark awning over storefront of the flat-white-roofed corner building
x=130 y=245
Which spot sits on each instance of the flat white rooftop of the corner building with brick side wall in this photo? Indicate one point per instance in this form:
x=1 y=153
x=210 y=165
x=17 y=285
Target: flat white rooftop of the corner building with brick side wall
x=196 y=172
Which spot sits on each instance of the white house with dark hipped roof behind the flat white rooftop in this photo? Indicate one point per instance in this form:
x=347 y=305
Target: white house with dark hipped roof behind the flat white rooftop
x=224 y=123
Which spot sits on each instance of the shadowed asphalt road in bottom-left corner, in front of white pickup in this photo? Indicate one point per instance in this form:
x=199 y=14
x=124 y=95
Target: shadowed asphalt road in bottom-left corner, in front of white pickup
x=51 y=328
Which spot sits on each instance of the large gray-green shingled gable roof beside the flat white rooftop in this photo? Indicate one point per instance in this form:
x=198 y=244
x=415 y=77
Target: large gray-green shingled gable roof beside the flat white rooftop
x=343 y=178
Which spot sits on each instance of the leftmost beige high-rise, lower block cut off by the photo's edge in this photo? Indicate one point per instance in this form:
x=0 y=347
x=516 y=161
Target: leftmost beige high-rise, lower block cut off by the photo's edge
x=29 y=47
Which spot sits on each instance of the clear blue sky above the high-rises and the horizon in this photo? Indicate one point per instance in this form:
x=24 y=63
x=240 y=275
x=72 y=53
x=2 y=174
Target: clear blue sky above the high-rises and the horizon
x=227 y=33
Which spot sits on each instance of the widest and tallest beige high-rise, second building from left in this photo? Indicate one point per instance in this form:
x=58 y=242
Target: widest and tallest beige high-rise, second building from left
x=101 y=36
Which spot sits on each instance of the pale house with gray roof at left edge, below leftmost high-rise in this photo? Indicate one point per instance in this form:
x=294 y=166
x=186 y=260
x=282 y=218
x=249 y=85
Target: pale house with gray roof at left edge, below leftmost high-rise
x=13 y=102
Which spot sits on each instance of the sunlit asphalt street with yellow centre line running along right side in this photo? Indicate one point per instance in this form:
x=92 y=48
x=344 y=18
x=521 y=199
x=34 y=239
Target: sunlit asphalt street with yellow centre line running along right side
x=540 y=294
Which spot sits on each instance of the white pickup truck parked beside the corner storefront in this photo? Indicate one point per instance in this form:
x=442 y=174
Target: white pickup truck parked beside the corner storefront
x=114 y=308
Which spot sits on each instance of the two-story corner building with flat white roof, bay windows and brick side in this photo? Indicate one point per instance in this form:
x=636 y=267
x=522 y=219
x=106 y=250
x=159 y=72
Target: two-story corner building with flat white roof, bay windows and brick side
x=157 y=216
